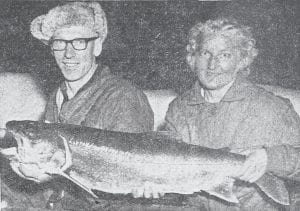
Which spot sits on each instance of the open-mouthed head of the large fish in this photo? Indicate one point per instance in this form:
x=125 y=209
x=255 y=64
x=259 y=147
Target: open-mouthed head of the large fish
x=38 y=150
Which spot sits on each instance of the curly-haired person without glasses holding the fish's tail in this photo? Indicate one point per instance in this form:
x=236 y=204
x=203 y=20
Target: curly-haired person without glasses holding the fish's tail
x=225 y=110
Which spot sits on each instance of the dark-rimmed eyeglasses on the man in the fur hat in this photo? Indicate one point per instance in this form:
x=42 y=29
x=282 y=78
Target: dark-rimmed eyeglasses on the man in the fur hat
x=78 y=44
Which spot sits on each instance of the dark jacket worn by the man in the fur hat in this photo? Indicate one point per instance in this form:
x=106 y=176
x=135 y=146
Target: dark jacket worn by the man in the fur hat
x=105 y=102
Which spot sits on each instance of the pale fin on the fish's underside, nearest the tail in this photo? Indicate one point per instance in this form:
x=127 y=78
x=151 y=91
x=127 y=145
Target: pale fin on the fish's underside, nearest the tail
x=224 y=190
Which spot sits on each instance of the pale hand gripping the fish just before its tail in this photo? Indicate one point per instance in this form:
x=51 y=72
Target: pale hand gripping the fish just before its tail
x=255 y=165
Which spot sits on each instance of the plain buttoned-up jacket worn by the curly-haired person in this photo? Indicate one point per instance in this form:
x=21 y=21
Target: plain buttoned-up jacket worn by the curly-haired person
x=247 y=117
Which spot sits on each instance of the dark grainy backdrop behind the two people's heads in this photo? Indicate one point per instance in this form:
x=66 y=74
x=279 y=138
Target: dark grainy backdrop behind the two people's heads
x=146 y=40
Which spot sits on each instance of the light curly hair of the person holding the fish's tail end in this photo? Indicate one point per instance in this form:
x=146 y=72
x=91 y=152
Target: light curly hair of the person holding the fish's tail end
x=229 y=28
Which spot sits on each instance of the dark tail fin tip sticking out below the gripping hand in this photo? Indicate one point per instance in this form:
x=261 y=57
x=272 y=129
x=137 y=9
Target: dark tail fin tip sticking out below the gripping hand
x=275 y=188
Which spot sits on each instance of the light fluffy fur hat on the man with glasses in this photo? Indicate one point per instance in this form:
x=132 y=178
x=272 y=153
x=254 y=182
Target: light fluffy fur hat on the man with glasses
x=86 y=14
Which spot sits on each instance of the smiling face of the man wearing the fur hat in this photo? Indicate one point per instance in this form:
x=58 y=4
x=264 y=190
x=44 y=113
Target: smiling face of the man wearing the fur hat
x=75 y=64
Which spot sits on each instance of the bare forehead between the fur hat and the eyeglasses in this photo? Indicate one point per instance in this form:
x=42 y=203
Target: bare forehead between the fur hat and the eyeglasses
x=74 y=32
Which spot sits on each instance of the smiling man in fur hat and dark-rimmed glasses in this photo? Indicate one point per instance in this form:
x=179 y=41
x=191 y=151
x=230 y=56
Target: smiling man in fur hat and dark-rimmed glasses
x=90 y=94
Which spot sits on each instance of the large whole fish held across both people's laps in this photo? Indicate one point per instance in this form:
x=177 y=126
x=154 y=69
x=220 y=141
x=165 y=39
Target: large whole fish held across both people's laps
x=116 y=162
